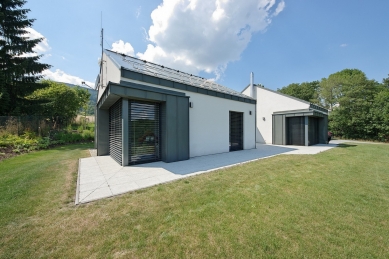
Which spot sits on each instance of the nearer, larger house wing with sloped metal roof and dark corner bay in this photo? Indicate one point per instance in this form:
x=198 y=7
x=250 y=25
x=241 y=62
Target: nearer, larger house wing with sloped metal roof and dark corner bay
x=146 y=112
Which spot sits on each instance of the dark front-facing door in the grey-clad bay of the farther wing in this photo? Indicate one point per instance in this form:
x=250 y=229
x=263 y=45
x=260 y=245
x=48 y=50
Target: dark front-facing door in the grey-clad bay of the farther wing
x=296 y=131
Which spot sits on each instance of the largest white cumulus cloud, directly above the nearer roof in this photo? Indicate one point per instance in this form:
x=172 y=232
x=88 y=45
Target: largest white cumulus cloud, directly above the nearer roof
x=205 y=35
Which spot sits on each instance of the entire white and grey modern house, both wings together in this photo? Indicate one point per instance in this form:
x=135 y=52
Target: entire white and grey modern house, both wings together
x=147 y=112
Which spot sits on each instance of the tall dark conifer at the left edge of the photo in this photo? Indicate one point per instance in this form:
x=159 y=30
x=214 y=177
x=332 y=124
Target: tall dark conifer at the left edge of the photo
x=19 y=70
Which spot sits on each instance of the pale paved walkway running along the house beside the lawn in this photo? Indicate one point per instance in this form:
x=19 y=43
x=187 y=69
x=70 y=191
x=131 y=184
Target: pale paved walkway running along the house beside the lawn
x=101 y=177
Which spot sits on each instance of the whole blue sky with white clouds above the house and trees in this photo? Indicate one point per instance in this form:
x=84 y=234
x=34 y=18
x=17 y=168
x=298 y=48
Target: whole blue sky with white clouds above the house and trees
x=281 y=41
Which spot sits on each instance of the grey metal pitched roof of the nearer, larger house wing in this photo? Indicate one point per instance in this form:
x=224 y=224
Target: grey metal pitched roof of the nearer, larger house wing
x=145 y=67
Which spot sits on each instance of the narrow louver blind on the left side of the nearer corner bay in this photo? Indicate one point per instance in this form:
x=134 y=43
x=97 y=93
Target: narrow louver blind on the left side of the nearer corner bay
x=115 y=131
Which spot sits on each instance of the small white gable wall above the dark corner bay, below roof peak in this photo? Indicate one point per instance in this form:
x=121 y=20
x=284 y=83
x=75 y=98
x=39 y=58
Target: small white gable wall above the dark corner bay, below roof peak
x=110 y=73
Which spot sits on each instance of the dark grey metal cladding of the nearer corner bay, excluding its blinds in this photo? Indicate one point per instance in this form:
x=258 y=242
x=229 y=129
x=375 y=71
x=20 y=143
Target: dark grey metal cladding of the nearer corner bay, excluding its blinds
x=174 y=120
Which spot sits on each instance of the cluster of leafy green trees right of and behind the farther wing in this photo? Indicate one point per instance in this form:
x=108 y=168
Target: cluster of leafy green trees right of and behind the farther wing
x=359 y=107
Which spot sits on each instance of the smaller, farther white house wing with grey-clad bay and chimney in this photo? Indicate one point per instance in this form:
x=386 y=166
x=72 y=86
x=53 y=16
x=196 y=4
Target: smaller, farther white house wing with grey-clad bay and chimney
x=286 y=120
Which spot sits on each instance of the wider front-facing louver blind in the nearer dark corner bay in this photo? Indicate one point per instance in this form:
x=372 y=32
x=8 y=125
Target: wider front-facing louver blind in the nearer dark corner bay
x=144 y=132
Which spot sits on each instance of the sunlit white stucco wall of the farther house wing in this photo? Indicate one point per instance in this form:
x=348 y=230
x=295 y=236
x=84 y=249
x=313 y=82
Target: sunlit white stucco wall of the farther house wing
x=269 y=102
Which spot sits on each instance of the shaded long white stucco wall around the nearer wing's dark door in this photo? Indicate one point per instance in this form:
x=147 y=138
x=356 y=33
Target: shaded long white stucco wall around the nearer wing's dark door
x=209 y=122
